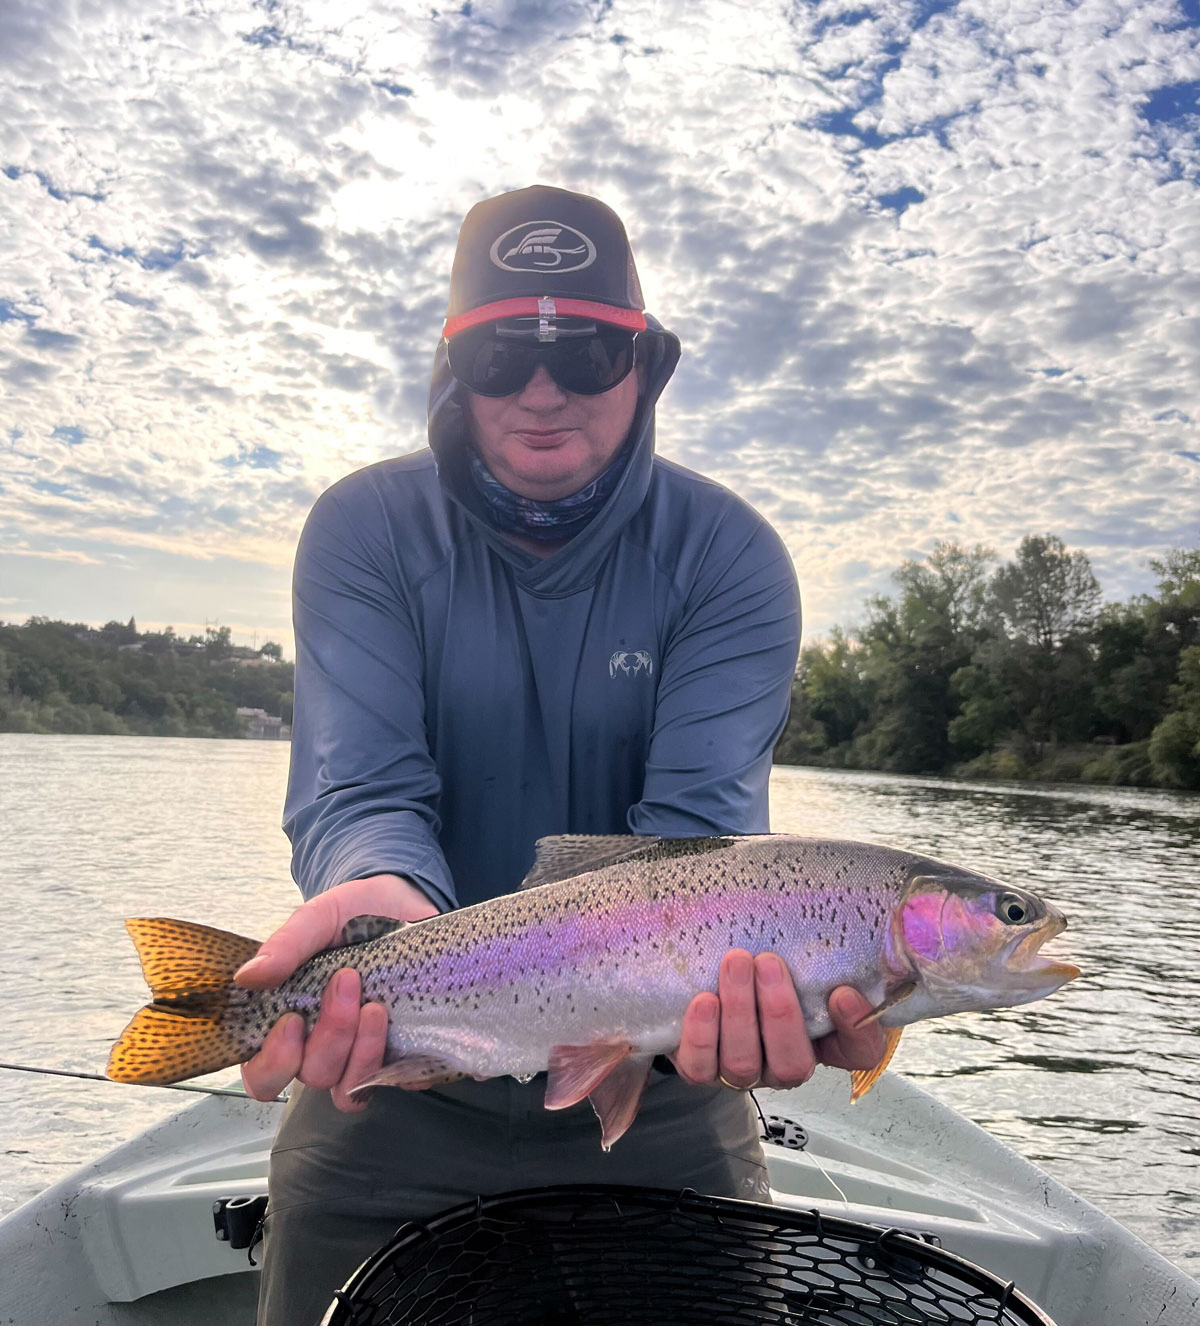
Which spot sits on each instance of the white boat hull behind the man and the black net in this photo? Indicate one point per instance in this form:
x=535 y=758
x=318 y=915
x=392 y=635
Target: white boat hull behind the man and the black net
x=131 y=1238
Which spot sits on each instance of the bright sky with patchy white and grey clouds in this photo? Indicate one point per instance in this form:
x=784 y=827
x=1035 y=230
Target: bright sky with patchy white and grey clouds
x=935 y=267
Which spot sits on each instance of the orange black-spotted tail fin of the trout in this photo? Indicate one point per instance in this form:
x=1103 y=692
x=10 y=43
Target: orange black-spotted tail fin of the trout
x=197 y=1023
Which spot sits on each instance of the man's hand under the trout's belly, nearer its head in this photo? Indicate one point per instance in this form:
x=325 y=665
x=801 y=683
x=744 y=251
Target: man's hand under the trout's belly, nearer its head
x=754 y=1035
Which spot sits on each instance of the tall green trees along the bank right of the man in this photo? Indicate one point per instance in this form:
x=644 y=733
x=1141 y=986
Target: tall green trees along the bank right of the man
x=1016 y=672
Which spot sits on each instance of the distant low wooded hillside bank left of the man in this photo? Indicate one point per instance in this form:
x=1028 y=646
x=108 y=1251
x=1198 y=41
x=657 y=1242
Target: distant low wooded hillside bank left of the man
x=117 y=681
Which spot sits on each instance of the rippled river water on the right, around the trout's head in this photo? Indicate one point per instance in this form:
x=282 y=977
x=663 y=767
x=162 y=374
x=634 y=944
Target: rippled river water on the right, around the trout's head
x=1101 y=1083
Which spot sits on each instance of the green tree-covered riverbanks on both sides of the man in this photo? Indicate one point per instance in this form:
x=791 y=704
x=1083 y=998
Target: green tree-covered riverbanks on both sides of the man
x=971 y=670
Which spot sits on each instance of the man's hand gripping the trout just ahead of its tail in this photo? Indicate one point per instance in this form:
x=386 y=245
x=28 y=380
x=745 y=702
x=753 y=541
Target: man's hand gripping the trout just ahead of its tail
x=348 y=1043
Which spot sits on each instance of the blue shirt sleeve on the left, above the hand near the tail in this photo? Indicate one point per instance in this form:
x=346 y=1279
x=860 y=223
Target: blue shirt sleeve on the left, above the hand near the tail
x=364 y=790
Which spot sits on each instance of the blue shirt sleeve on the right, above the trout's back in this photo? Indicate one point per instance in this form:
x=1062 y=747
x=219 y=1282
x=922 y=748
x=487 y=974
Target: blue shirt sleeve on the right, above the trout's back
x=723 y=694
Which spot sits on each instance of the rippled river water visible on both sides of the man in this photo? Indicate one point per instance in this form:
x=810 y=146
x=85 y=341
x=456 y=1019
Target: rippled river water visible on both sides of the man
x=1099 y=1085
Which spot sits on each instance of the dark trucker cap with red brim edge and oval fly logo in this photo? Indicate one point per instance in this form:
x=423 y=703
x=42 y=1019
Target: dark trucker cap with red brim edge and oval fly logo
x=543 y=253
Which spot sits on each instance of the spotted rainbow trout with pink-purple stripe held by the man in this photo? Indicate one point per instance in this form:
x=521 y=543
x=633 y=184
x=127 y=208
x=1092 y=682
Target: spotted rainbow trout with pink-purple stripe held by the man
x=587 y=973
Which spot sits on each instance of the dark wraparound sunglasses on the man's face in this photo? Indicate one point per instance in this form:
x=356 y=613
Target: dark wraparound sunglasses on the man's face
x=497 y=363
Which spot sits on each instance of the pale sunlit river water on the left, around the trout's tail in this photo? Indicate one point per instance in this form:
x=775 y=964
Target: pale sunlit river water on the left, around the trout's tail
x=97 y=829
